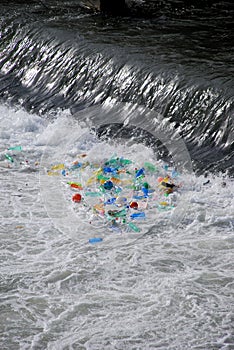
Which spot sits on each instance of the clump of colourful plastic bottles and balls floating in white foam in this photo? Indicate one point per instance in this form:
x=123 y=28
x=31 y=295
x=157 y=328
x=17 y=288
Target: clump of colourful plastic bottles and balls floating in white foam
x=116 y=192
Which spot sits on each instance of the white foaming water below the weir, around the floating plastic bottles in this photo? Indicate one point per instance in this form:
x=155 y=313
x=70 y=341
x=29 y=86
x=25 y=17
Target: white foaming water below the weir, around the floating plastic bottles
x=170 y=287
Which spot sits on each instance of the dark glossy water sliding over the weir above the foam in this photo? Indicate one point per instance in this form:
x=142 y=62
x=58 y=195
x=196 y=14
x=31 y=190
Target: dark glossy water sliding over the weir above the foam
x=178 y=63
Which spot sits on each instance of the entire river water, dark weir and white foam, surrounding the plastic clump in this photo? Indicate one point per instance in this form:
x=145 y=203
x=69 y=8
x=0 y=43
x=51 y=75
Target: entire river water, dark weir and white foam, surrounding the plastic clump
x=73 y=82
